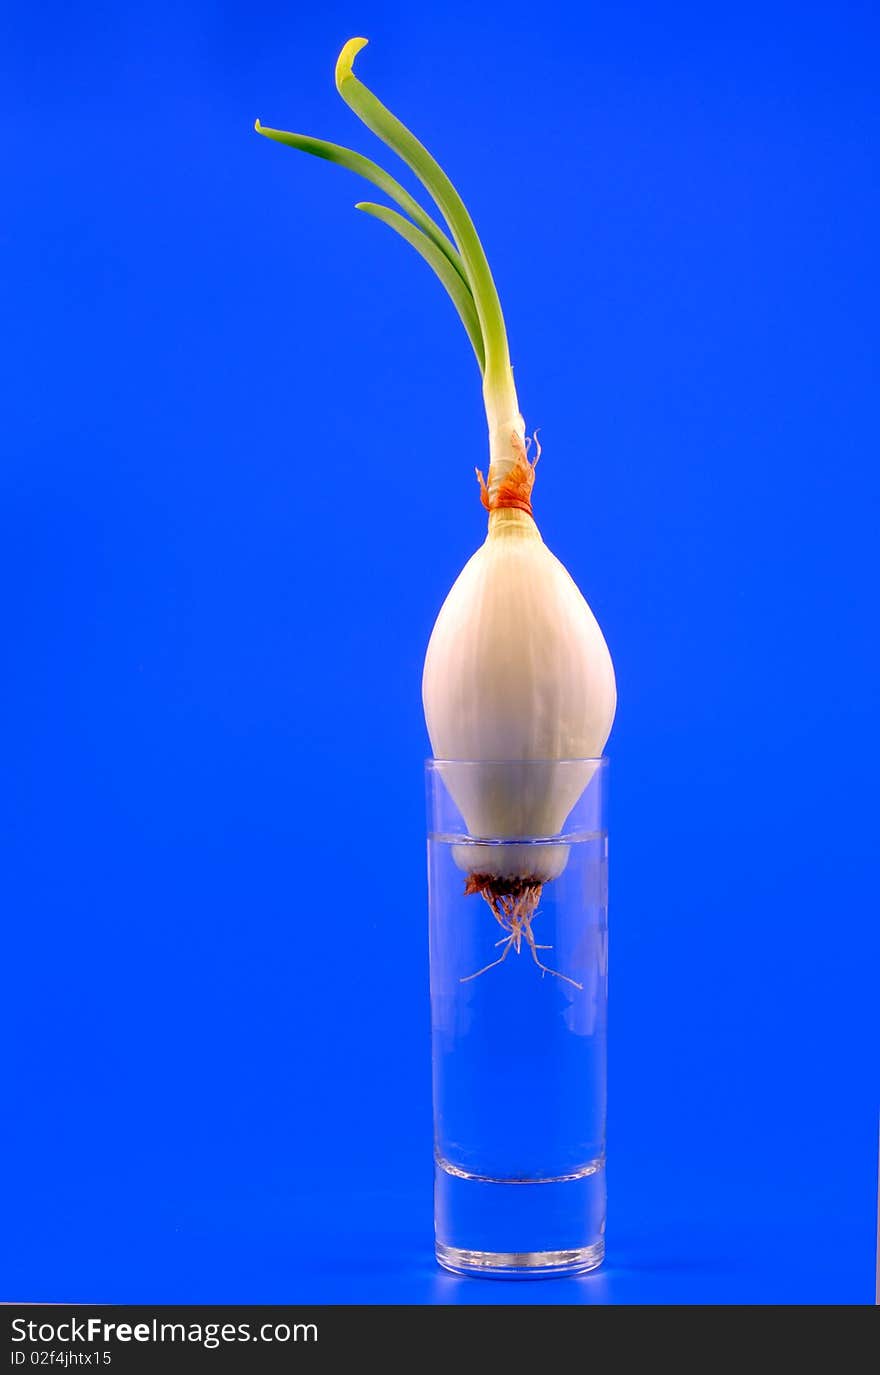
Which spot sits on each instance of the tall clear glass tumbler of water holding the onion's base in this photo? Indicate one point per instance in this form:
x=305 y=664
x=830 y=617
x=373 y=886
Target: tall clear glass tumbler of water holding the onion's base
x=519 y=962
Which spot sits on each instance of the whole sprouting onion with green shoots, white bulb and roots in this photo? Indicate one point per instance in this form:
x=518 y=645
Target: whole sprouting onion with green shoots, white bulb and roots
x=518 y=668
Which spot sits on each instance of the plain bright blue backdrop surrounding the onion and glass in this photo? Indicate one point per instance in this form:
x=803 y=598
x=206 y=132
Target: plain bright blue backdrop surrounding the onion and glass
x=239 y=446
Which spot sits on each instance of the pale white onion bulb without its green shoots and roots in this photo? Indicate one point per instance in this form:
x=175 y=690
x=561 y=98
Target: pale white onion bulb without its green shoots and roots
x=518 y=669
